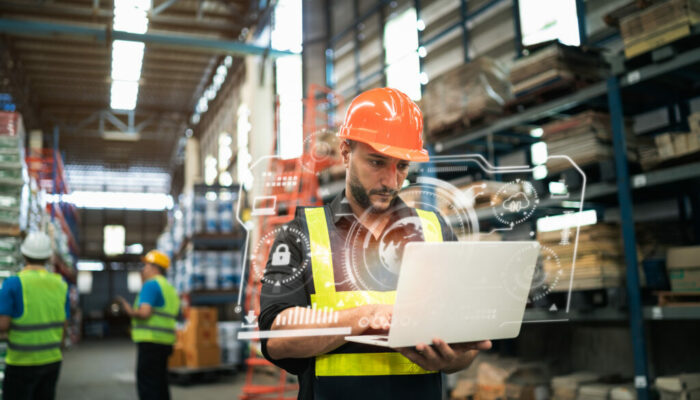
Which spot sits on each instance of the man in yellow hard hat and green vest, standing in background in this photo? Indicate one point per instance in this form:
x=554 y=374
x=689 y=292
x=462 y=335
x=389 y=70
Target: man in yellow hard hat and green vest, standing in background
x=153 y=326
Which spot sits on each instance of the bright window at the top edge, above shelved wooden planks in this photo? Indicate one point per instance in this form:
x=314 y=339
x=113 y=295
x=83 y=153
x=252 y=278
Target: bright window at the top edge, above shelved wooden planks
x=560 y=21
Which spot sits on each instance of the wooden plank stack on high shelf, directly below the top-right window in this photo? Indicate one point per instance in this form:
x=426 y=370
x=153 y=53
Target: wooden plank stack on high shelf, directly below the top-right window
x=553 y=65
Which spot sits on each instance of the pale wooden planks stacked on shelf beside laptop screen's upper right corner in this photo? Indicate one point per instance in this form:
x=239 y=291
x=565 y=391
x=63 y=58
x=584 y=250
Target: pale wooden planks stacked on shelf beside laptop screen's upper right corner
x=599 y=257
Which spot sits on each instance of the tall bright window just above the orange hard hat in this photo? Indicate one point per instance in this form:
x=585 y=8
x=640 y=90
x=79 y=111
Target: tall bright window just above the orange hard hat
x=401 y=48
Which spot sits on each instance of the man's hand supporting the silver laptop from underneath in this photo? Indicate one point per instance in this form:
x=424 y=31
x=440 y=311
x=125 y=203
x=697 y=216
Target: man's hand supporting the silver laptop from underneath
x=442 y=357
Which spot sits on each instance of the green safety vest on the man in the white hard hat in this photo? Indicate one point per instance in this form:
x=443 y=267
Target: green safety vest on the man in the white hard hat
x=35 y=337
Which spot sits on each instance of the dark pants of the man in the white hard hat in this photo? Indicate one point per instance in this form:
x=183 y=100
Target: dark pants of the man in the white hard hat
x=36 y=382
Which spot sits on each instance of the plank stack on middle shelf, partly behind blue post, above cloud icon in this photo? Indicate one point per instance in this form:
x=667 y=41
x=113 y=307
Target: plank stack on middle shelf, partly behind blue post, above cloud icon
x=586 y=138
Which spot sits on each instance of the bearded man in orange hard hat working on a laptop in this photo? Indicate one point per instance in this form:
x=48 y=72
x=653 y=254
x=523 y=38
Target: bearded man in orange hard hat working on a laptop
x=344 y=259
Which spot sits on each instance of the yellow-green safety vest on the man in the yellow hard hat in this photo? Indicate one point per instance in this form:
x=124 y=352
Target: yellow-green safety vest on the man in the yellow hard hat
x=160 y=326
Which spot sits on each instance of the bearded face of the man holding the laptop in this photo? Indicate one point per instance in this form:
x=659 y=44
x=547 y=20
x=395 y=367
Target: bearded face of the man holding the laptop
x=374 y=179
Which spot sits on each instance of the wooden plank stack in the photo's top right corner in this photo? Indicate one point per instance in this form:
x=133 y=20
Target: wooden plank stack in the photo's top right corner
x=658 y=25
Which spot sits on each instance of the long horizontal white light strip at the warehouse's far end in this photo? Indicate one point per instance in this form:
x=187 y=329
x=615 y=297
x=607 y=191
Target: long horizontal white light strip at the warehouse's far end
x=118 y=200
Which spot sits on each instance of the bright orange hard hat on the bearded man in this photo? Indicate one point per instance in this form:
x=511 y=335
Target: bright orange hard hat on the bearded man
x=387 y=120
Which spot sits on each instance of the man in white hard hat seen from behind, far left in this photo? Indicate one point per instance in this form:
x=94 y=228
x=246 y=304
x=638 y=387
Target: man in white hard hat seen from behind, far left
x=34 y=308
